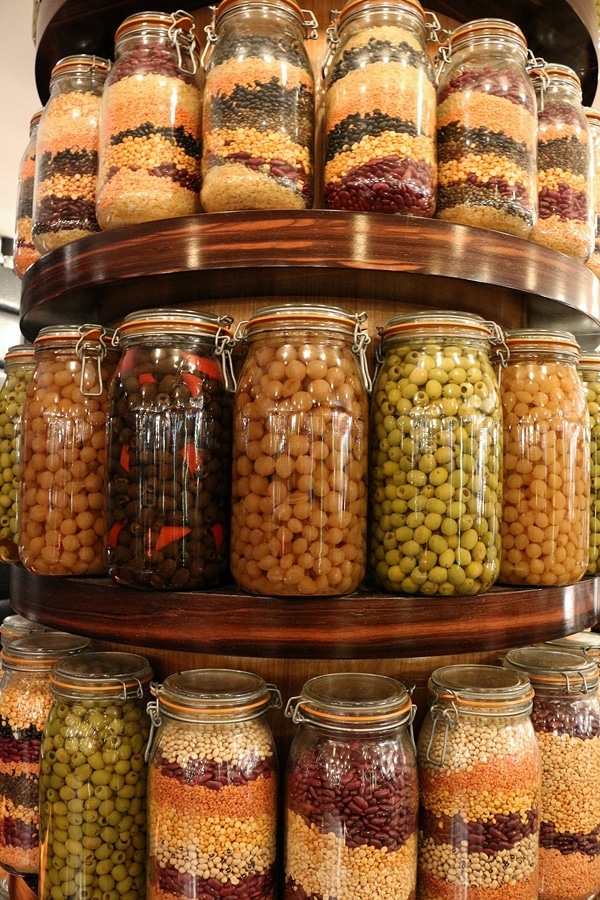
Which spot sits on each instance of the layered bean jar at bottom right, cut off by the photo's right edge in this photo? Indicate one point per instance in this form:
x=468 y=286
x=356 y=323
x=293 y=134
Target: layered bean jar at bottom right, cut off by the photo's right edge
x=566 y=719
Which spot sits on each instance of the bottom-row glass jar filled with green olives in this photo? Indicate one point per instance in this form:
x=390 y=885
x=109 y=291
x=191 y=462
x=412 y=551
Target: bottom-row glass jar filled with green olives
x=93 y=779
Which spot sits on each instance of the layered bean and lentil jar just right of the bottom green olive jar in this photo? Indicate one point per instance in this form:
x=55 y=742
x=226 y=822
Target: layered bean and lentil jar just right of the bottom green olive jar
x=212 y=788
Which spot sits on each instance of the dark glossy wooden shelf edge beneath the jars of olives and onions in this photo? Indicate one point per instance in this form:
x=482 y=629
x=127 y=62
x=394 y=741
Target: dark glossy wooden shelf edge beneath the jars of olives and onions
x=363 y=625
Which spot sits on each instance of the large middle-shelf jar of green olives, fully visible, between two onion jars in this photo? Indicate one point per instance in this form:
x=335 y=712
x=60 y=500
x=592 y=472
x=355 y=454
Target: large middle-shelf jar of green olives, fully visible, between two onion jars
x=436 y=432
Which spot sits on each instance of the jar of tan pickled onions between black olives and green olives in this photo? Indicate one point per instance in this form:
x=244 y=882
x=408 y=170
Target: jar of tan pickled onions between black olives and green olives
x=300 y=452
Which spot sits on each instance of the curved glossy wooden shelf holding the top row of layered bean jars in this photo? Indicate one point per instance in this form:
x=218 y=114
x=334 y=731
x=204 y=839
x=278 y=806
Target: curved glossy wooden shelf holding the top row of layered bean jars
x=350 y=257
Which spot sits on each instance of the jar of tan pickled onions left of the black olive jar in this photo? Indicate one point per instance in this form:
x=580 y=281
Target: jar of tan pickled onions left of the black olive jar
x=62 y=522
